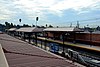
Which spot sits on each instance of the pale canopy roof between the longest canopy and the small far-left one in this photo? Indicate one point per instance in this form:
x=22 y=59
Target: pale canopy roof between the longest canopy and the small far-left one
x=30 y=29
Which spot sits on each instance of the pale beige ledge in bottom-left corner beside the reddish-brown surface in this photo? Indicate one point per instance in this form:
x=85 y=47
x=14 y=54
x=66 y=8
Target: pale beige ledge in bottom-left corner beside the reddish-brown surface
x=3 y=61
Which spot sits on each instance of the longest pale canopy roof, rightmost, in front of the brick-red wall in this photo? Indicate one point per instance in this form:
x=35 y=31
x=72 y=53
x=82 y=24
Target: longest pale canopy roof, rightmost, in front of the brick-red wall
x=63 y=29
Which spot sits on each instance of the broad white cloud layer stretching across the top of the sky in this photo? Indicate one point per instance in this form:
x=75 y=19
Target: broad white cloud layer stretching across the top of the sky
x=33 y=8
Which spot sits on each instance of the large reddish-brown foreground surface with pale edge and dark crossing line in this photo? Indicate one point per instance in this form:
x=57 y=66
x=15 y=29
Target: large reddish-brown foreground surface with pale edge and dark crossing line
x=21 y=54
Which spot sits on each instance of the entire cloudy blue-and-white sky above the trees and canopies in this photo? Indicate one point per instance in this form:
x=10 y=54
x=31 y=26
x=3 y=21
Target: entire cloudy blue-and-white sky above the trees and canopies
x=51 y=12
